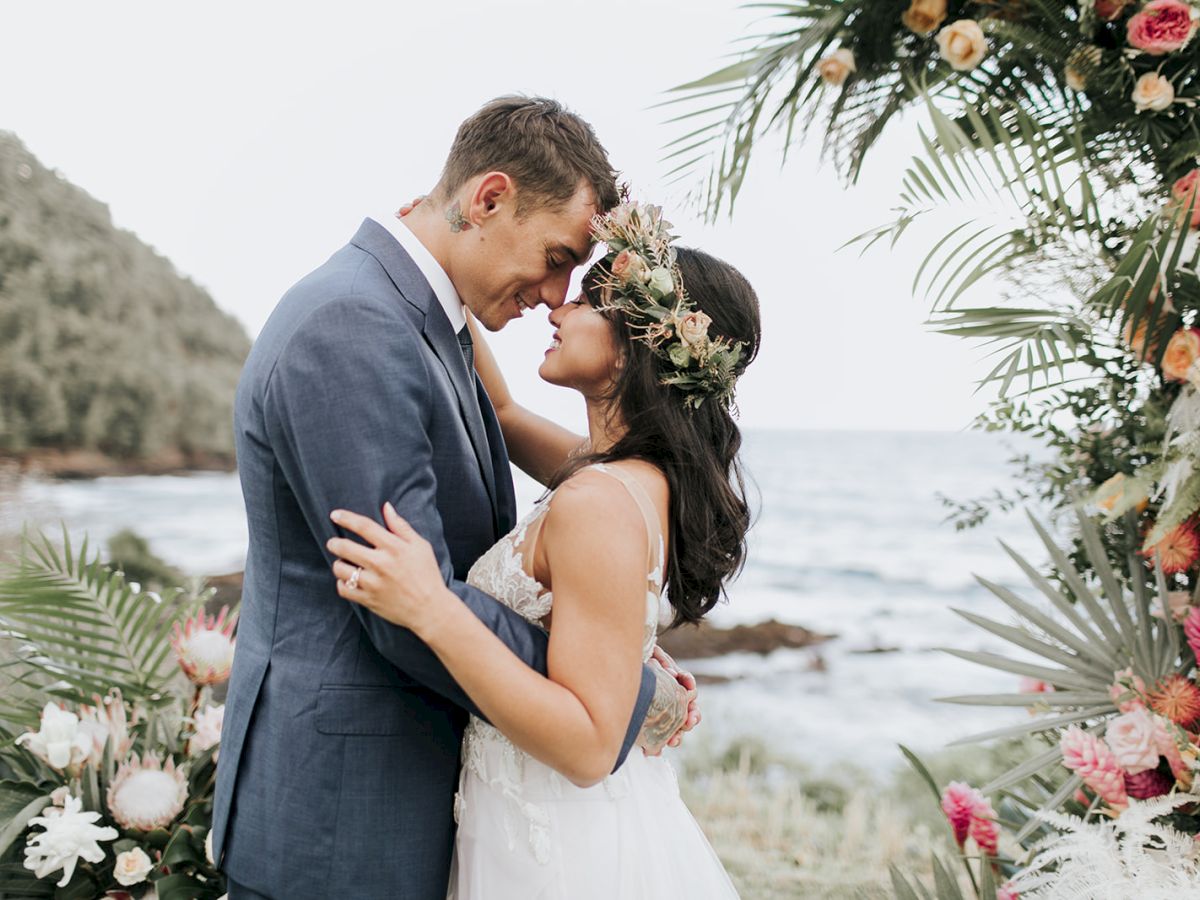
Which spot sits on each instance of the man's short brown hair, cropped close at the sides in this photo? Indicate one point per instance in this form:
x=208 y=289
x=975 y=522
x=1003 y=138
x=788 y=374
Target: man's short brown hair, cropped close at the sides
x=542 y=146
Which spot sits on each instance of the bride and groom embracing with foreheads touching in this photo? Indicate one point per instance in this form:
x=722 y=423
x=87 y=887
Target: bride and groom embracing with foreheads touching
x=431 y=699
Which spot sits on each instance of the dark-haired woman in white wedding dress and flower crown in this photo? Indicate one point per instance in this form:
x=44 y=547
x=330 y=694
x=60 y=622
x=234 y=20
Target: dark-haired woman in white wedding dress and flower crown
x=652 y=501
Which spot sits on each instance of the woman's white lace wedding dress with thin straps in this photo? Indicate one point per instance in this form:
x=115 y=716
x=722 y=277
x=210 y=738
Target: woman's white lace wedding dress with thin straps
x=527 y=833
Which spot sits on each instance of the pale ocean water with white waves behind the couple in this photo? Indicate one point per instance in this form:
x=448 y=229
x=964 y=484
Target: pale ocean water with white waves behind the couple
x=850 y=539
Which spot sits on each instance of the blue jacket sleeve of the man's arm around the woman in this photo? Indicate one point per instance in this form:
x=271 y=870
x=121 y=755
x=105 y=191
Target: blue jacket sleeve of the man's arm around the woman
x=347 y=409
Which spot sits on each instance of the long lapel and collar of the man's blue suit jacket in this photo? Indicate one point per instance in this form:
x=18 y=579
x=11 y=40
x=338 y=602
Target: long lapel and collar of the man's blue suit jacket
x=440 y=337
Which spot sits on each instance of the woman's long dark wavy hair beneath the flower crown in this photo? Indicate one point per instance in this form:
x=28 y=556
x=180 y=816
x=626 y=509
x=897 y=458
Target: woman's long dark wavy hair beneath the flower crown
x=697 y=449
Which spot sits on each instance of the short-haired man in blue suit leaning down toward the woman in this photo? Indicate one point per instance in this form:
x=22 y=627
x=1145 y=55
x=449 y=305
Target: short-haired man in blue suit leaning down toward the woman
x=340 y=749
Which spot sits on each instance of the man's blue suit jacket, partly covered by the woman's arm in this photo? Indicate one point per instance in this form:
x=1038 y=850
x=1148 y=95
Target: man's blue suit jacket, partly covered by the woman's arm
x=340 y=751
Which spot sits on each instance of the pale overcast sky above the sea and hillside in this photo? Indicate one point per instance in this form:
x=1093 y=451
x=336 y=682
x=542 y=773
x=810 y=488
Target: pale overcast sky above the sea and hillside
x=248 y=141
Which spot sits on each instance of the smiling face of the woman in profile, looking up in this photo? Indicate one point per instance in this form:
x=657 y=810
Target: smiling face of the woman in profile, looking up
x=584 y=352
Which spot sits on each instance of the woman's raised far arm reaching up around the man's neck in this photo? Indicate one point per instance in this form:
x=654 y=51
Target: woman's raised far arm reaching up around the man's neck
x=537 y=446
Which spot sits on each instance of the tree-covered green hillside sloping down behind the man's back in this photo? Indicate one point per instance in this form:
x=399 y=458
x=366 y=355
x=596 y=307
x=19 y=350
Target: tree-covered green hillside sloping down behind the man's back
x=104 y=346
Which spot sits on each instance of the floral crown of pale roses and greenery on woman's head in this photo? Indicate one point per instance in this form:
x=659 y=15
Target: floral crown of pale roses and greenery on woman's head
x=641 y=280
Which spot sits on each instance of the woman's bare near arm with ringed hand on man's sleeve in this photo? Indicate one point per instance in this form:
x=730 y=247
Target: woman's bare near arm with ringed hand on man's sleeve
x=595 y=542
